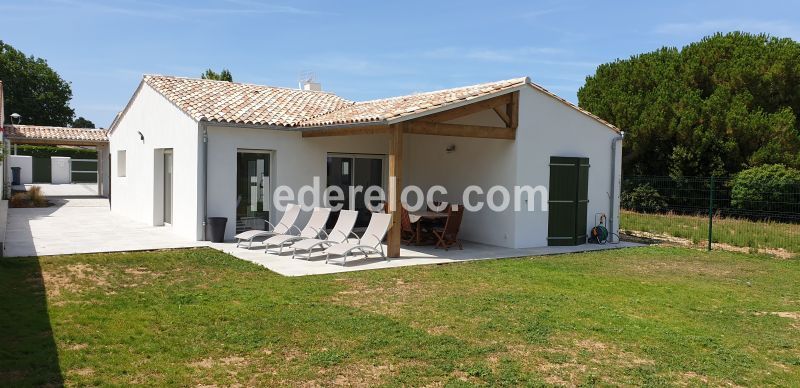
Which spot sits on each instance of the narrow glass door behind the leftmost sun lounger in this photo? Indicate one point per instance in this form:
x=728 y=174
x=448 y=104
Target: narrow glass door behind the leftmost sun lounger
x=252 y=190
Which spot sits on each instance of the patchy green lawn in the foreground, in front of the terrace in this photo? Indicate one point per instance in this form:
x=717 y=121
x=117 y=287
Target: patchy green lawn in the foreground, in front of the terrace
x=656 y=316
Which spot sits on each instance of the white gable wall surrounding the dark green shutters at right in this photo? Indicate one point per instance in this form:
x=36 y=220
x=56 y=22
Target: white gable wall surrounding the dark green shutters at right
x=548 y=127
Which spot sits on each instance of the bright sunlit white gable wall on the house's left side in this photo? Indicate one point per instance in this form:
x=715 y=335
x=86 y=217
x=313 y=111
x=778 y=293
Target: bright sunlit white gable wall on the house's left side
x=139 y=194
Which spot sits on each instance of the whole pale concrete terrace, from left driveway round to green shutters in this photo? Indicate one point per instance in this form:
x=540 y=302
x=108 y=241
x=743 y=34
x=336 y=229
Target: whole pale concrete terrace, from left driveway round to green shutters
x=81 y=222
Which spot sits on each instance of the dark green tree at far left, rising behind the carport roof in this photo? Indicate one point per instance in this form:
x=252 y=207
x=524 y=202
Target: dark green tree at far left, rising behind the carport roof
x=33 y=89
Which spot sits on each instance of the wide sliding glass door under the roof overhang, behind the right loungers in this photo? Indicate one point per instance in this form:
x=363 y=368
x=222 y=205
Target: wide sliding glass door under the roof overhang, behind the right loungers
x=348 y=171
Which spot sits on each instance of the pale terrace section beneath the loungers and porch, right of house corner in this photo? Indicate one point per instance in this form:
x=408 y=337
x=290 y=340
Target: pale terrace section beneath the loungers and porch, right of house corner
x=410 y=255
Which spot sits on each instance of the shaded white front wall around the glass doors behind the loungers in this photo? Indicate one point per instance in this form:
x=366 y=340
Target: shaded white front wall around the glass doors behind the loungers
x=295 y=162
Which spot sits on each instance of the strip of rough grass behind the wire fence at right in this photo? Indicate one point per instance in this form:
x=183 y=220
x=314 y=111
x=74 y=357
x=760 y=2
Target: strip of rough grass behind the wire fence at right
x=731 y=231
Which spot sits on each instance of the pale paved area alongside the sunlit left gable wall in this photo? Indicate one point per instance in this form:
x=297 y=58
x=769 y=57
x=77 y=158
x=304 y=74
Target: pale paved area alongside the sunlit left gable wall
x=82 y=225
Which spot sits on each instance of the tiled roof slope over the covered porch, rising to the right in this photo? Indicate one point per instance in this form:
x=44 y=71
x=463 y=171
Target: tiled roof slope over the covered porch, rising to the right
x=397 y=107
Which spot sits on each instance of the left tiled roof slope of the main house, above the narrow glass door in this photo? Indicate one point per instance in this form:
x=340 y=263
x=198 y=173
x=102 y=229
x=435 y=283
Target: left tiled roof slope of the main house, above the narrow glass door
x=232 y=102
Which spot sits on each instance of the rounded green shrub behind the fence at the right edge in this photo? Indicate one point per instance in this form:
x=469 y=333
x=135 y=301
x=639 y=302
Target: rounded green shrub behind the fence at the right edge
x=771 y=187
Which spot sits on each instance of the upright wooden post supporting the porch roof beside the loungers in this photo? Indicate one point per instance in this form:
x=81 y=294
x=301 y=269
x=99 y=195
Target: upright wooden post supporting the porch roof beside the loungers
x=395 y=179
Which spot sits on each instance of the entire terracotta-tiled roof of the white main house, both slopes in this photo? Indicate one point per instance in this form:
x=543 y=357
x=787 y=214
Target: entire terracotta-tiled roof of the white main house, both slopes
x=238 y=103
